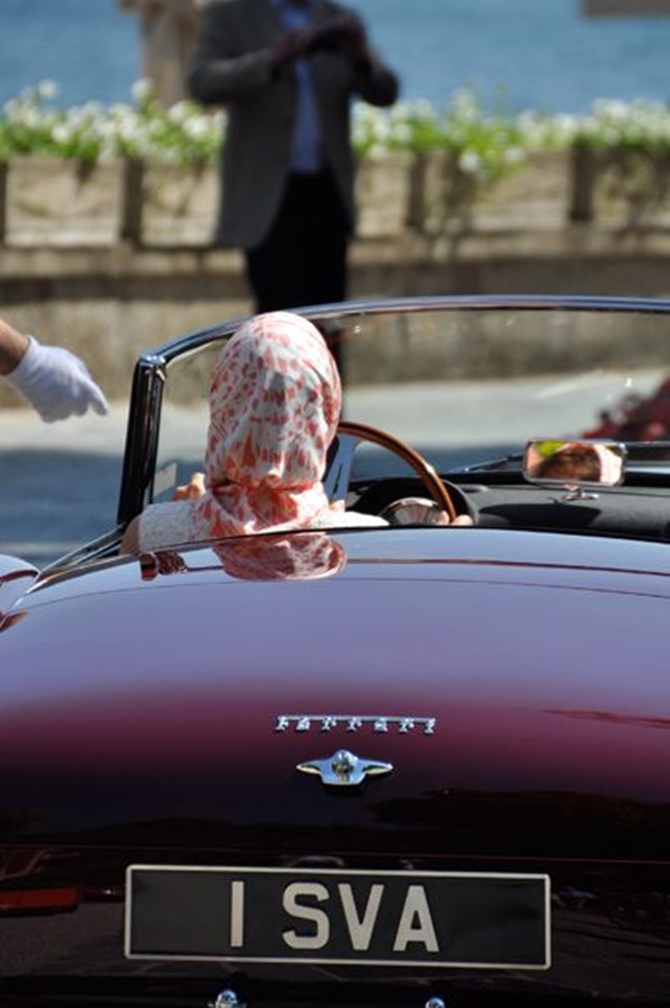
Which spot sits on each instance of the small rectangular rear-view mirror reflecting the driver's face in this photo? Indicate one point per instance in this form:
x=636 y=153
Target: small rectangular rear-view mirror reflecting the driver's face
x=575 y=464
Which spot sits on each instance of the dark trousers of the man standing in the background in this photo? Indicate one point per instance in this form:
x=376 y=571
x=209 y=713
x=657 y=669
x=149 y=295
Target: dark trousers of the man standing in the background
x=304 y=260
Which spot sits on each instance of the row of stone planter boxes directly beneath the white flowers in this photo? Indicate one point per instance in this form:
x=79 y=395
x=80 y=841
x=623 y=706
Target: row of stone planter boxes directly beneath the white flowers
x=60 y=203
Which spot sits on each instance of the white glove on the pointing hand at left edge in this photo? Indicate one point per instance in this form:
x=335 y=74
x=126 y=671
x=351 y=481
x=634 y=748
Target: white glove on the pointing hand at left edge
x=56 y=384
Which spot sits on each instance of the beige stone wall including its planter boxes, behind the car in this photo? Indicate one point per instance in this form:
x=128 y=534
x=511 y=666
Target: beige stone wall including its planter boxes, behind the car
x=126 y=264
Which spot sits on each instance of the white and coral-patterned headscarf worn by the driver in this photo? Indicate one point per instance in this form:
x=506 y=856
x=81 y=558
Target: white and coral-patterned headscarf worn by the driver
x=276 y=402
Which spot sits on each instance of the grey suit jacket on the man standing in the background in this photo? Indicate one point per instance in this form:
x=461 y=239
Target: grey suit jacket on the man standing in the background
x=231 y=67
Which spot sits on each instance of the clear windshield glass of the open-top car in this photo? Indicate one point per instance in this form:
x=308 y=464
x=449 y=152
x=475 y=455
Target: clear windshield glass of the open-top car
x=467 y=387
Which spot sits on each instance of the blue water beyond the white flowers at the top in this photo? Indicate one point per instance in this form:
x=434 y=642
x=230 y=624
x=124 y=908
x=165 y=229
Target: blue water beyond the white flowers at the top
x=542 y=54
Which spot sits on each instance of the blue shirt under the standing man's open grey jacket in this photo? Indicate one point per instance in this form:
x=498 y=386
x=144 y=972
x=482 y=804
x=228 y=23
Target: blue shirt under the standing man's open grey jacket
x=308 y=154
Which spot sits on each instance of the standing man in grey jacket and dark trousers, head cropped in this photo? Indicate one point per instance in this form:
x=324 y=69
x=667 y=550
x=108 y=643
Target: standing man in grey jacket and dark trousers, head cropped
x=287 y=71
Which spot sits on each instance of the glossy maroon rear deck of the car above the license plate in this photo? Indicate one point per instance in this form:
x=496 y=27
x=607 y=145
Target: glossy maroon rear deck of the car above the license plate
x=515 y=682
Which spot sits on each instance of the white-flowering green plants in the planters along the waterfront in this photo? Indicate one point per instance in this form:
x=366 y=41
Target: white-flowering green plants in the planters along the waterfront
x=485 y=145
